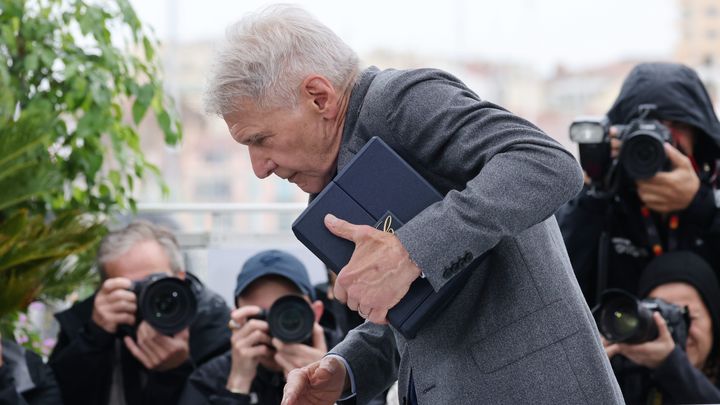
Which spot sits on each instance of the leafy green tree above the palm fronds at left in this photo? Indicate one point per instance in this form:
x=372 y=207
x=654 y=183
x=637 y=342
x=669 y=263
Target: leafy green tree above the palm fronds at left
x=91 y=65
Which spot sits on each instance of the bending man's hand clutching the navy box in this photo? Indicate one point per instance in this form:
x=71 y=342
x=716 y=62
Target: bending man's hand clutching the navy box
x=379 y=273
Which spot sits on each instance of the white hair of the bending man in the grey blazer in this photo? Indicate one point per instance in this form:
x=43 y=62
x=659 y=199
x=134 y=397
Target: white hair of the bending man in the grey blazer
x=266 y=56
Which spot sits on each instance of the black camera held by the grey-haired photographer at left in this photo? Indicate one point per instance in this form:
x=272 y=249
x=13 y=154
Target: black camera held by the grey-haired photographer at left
x=165 y=302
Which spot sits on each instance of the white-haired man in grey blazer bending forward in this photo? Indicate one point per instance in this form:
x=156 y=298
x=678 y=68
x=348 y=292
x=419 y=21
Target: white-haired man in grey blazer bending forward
x=519 y=331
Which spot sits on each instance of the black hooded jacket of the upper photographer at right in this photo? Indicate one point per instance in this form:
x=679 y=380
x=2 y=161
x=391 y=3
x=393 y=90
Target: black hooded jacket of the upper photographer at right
x=610 y=226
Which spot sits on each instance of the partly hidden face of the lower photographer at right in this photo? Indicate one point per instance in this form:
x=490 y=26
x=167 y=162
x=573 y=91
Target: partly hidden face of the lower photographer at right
x=700 y=336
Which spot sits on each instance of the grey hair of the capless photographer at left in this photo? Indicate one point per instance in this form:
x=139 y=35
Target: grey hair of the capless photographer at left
x=115 y=244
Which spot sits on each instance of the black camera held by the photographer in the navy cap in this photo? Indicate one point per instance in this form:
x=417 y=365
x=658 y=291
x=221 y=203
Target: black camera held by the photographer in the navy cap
x=290 y=318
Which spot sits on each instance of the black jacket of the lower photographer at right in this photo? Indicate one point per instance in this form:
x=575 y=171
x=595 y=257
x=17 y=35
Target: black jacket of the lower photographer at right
x=675 y=381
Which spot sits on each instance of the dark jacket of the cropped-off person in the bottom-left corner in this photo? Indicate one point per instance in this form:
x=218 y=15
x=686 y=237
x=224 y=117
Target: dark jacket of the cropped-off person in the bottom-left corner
x=25 y=379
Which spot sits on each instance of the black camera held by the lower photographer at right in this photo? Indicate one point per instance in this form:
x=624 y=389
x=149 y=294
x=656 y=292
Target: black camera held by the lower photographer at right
x=621 y=317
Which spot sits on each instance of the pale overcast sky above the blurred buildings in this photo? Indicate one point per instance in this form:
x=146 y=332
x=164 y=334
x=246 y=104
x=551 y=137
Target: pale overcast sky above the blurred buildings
x=542 y=33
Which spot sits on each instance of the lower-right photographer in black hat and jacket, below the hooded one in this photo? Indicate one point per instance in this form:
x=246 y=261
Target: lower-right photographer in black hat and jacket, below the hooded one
x=667 y=373
